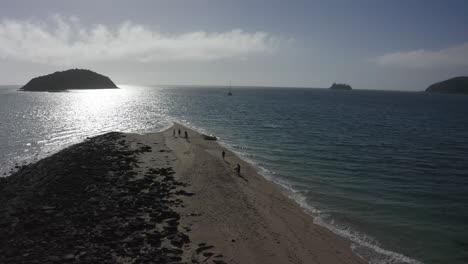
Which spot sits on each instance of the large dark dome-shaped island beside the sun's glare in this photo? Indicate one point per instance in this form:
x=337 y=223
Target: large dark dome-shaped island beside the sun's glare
x=69 y=79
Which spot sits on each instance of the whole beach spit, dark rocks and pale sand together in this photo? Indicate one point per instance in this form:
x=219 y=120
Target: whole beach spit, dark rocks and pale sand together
x=155 y=198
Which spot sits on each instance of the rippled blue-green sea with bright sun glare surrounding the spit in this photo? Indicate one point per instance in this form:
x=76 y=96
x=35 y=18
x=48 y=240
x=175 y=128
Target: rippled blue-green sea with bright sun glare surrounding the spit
x=386 y=170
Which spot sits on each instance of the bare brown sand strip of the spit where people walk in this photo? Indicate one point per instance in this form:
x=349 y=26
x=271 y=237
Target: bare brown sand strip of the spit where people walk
x=249 y=219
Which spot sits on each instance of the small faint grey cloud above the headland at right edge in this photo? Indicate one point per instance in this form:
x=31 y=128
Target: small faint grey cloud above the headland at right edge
x=452 y=57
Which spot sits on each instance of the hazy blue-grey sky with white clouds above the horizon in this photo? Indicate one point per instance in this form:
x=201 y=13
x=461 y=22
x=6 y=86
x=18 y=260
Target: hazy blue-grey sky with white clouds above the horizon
x=370 y=44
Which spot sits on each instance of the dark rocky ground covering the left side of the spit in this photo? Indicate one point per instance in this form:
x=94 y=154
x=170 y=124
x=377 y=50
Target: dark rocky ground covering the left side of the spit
x=84 y=205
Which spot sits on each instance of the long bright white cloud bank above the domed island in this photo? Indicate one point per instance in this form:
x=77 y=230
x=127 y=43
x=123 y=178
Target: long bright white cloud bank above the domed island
x=65 y=41
